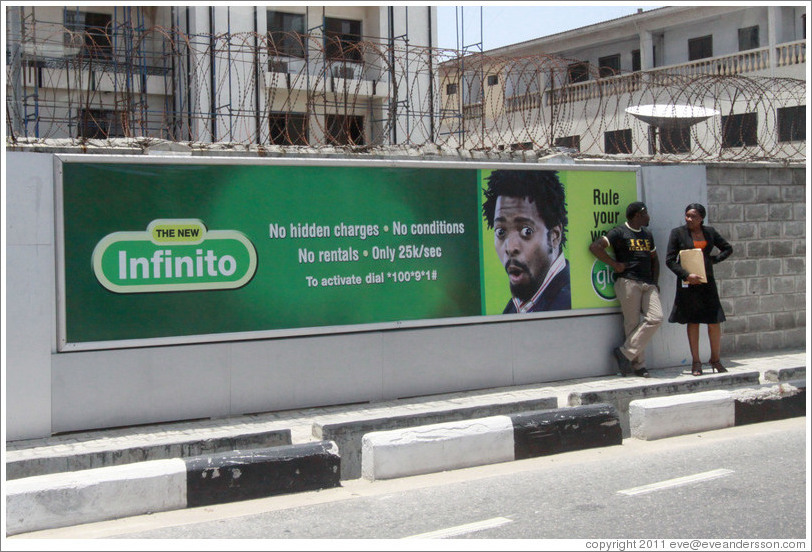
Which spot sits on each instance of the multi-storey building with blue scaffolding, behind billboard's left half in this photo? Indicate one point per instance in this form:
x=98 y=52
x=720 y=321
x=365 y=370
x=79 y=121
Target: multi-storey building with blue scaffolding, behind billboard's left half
x=260 y=75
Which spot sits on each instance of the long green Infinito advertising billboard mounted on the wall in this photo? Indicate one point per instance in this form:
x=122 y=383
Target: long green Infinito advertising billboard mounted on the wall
x=185 y=249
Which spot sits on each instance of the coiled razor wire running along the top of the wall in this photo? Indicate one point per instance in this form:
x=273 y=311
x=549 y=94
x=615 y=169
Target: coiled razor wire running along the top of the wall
x=294 y=90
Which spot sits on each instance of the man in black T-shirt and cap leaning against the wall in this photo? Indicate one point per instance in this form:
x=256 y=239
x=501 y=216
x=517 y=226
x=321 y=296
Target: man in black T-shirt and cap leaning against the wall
x=636 y=285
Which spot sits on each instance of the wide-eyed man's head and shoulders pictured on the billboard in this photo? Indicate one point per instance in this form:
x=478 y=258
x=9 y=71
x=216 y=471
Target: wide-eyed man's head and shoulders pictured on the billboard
x=528 y=214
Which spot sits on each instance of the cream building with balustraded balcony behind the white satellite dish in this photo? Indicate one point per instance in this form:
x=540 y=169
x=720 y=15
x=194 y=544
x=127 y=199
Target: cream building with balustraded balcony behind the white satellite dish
x=571 y=90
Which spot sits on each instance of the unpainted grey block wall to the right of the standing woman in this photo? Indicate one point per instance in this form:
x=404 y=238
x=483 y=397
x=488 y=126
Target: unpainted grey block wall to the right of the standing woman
x=762 y=212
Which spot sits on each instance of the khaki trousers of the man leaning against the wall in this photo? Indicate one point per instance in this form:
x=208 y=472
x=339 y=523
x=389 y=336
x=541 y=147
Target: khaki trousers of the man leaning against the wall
x=642 y=316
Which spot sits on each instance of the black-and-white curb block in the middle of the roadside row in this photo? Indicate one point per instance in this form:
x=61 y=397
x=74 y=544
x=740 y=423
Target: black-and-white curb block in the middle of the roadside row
x=460 y=444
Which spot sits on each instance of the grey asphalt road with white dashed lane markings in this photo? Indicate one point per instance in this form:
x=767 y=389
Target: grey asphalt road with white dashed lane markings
x=743 y=482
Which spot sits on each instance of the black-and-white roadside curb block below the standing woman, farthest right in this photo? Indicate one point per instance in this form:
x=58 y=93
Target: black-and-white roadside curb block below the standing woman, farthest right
x=659 y=417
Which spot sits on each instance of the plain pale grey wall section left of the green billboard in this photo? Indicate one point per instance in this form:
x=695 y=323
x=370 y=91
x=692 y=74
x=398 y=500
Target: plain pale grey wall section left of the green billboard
x=30 y=298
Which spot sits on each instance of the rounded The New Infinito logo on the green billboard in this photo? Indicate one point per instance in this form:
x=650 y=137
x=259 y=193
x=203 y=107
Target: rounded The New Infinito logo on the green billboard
x=174 y=255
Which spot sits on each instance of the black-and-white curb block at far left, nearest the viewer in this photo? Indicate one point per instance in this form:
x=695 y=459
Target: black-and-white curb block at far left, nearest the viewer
x=72 y=498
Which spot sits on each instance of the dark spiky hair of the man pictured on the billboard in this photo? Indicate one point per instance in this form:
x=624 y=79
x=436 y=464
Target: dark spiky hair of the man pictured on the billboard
x=541 y=187
